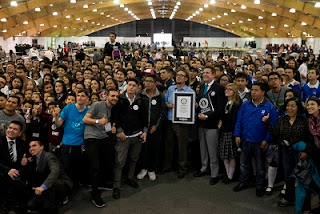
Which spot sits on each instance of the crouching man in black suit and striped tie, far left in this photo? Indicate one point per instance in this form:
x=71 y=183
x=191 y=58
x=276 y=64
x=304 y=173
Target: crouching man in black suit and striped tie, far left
x=13 y=152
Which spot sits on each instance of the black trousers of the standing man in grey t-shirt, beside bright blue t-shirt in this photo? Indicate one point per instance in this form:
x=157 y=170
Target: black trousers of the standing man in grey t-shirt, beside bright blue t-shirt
x=101 y=160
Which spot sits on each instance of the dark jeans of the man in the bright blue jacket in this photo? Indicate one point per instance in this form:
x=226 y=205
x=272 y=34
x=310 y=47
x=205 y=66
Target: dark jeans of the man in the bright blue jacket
x=249 y=150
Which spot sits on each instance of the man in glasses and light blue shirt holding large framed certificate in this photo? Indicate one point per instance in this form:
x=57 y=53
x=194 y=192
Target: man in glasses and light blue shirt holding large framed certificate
x=177 y=132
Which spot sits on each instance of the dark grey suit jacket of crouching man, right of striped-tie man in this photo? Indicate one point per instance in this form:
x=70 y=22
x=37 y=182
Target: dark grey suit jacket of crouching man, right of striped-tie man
x=48 y=171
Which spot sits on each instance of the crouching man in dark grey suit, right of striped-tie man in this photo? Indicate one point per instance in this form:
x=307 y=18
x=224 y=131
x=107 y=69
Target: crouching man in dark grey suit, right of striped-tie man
x=49 y=182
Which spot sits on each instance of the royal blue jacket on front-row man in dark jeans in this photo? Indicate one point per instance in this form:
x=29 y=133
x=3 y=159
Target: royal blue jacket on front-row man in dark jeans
x=249 y=124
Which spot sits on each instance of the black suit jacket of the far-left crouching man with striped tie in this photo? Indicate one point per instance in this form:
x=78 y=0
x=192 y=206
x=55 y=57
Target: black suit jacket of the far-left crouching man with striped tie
x=5 y=160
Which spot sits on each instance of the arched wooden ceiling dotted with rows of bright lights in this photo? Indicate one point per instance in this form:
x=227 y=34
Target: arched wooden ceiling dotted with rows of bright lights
x=73 y=19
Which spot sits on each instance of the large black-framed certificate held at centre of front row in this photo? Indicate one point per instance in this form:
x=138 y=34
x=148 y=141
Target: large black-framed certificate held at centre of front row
x=184 y=107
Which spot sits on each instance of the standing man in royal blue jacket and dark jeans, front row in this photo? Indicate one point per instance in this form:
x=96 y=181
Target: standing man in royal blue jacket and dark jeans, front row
x=254 y=137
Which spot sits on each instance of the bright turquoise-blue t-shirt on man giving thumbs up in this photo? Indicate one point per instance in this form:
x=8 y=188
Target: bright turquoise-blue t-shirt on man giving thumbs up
x=73 y=125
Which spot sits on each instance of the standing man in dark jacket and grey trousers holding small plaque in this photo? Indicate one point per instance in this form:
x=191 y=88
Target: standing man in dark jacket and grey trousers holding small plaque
x=211 y=101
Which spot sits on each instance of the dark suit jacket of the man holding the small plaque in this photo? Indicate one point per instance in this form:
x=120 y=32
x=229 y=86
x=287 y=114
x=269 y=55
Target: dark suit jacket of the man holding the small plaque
x=211 y=104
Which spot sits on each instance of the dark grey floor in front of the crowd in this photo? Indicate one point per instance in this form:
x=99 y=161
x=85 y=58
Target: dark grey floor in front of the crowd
x=169 y=195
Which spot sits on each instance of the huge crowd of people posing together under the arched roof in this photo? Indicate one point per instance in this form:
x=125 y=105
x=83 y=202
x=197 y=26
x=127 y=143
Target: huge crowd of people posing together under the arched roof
x=65 y=123
